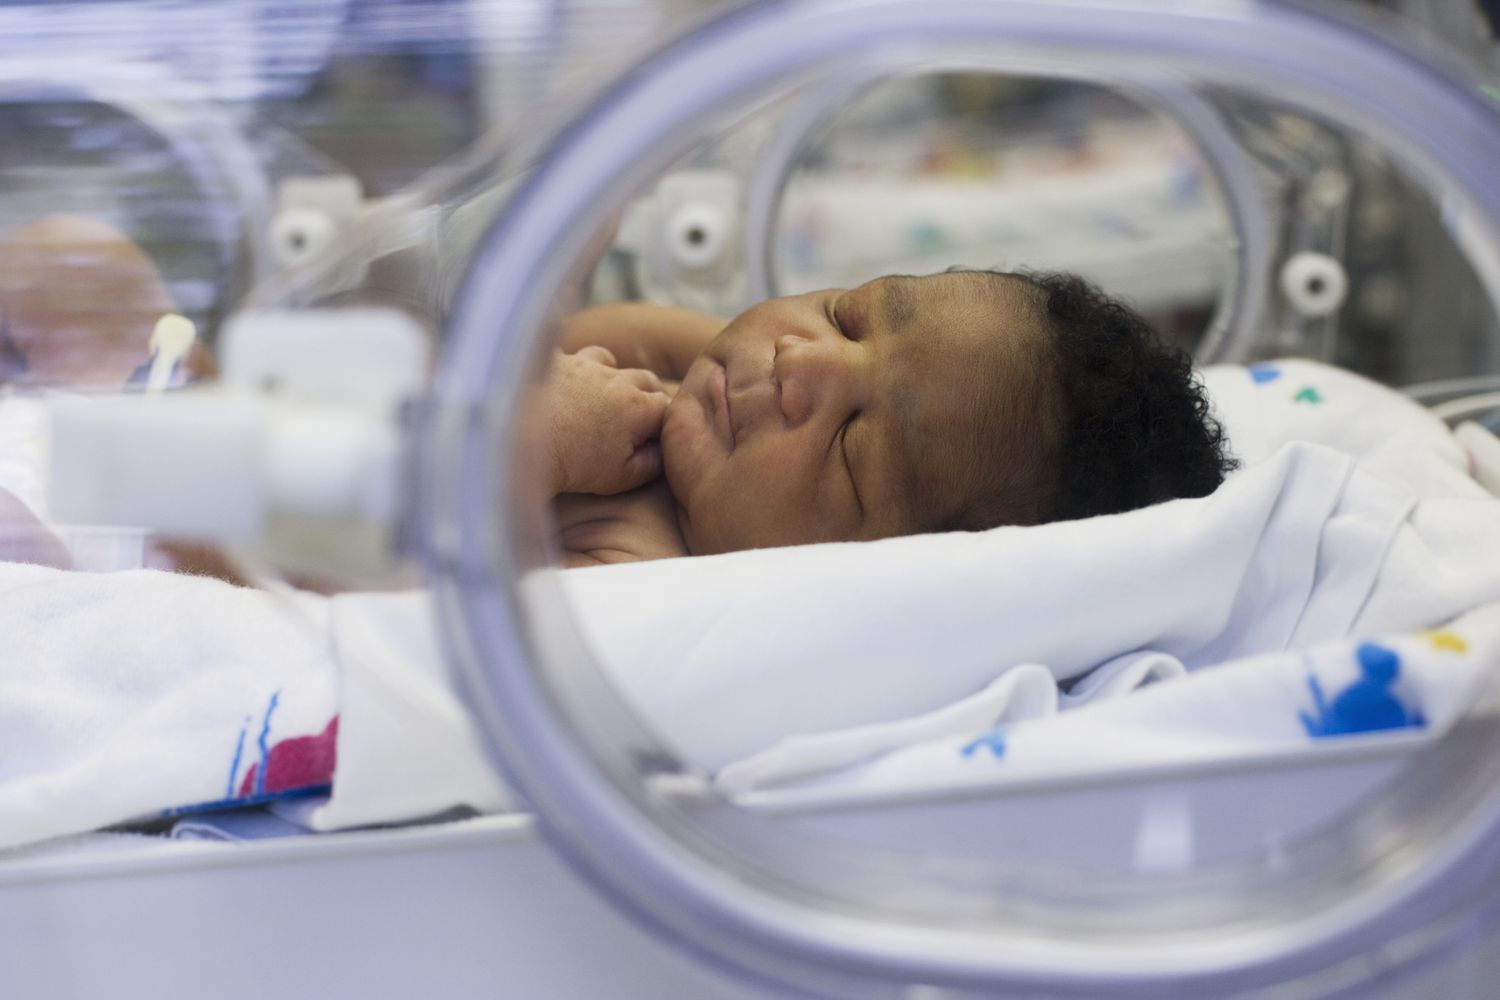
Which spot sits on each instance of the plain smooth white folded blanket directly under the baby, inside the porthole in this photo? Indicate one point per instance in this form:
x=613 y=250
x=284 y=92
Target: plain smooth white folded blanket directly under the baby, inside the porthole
x=706 y=650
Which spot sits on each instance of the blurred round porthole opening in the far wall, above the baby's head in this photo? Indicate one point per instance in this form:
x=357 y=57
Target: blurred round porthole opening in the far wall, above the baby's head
x=1145 y=191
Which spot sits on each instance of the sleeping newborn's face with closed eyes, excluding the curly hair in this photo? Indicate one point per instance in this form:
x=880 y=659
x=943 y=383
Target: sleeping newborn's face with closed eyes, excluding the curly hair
x=841 y=416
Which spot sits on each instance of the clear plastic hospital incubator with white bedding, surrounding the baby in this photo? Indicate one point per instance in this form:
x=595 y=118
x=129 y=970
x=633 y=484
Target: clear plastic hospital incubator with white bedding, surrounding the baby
x=278 y=307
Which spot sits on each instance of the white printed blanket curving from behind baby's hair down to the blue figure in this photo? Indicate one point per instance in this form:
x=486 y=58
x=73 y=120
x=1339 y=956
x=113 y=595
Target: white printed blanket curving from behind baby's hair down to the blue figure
x=1439 y=563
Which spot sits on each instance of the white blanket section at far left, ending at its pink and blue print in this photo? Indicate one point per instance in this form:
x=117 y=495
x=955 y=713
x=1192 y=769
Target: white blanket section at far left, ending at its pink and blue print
x=125 y=695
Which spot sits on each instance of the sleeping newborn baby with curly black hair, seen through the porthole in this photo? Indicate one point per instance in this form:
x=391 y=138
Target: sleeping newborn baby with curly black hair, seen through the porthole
x=955 y=403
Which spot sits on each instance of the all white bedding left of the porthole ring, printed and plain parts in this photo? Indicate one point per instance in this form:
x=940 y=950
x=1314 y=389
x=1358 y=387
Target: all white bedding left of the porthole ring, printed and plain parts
x=140 y=695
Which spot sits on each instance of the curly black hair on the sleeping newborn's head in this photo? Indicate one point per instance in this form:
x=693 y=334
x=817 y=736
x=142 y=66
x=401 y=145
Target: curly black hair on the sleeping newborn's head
x=1117 y=418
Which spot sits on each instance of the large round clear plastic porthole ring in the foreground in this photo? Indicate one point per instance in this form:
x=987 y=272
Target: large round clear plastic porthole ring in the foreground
x=1396 y=881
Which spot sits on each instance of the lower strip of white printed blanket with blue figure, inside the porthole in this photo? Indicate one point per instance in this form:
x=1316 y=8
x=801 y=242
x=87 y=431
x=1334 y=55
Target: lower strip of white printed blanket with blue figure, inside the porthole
x=1381 y=687
